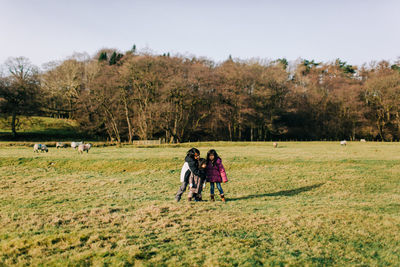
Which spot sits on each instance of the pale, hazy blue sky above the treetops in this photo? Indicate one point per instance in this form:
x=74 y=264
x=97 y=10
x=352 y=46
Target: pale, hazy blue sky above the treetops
x=356 y=31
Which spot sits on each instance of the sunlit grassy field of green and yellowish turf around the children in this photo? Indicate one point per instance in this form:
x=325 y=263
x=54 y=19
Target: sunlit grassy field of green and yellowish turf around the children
x=313 y=203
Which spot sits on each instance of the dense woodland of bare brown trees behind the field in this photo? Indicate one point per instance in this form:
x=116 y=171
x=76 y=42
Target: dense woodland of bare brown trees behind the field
x=131 y=95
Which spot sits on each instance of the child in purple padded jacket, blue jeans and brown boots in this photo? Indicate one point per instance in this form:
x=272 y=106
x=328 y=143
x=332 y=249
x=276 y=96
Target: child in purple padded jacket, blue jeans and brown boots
x=215 y=173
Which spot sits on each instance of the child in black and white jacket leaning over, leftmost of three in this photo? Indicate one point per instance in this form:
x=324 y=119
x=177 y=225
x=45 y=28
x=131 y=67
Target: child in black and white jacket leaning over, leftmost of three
x=191 y=165
